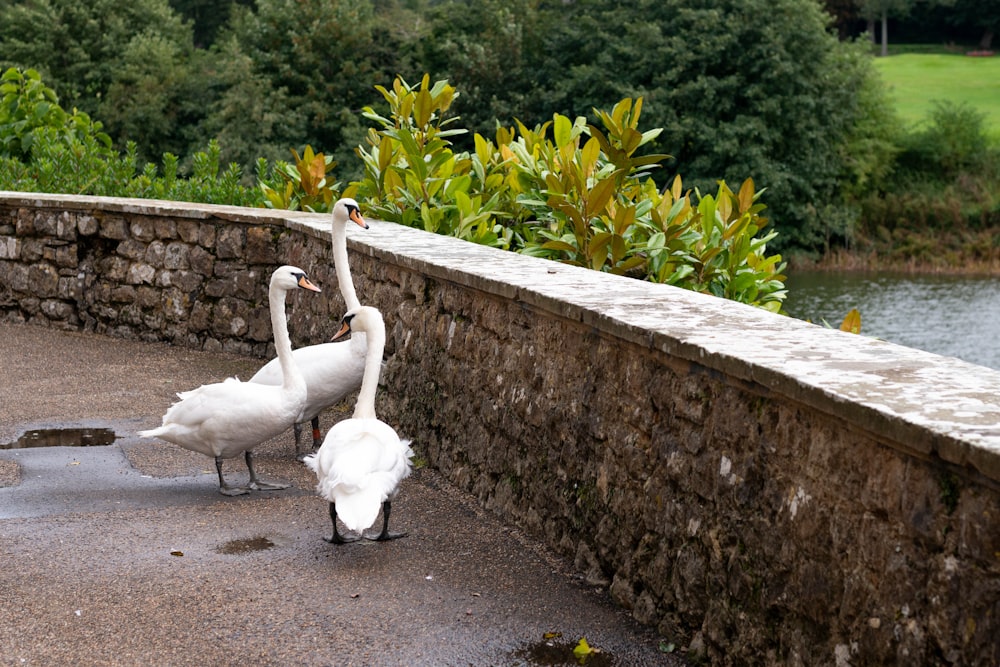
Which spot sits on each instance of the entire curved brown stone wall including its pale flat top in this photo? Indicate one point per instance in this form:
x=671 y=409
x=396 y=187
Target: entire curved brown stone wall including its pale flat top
x=761 y=490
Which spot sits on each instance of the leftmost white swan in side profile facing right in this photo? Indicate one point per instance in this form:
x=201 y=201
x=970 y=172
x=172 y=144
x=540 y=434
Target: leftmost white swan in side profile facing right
x=229 y=418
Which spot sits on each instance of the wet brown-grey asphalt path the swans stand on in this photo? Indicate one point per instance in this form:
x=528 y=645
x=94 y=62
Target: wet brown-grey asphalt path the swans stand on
x=125 y=554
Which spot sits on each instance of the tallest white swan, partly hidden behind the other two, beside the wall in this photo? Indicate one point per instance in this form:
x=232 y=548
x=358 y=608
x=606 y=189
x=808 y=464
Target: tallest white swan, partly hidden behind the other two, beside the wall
x=331 y=370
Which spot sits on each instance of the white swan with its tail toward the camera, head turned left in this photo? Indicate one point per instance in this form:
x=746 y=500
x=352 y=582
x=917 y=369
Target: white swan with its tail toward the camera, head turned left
x=362 y=460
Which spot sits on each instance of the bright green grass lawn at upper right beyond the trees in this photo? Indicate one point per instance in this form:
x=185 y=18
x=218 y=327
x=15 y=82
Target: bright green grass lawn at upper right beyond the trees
x=916 y=80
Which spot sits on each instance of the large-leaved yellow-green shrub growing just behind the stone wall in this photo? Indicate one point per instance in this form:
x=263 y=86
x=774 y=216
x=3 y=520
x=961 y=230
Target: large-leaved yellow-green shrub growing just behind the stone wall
x=566 y=191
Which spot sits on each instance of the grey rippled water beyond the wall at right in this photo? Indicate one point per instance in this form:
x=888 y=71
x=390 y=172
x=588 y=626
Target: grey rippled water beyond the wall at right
x=955 y=316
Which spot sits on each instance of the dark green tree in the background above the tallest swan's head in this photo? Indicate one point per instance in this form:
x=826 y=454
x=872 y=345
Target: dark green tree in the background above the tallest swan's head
x=325 y=59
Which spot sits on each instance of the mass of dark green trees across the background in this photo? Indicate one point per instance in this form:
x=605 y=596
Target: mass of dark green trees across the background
x=742 y=89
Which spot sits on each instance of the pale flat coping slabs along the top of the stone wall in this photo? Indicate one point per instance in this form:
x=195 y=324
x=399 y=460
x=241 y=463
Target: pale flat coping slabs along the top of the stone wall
x=925 y=404
